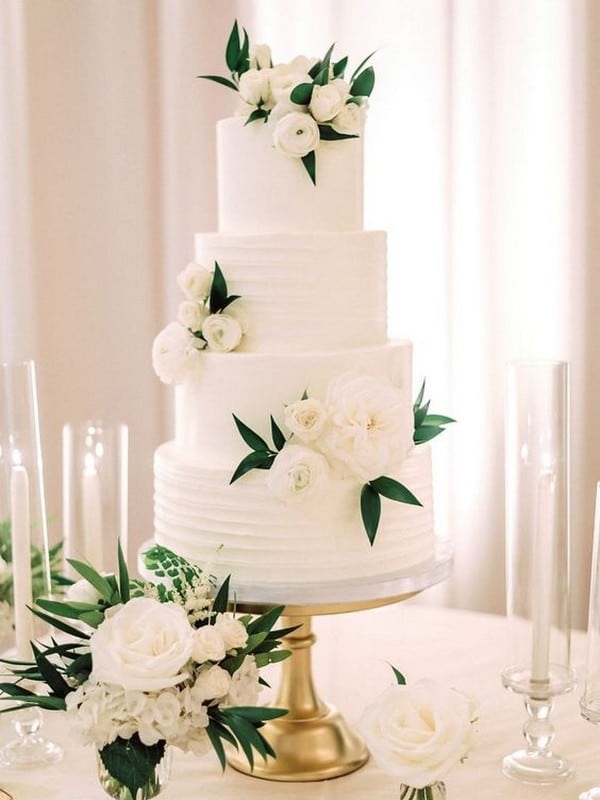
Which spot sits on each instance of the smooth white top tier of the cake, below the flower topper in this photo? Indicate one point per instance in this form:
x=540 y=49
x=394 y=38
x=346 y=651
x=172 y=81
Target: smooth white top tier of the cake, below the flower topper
x=261 y=190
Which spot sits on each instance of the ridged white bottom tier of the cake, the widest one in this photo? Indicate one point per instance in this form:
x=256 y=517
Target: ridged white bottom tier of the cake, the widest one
x=243 y=530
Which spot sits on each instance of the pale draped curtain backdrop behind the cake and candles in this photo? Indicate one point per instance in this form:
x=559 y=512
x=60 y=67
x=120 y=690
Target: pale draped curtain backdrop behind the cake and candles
x=482 y=164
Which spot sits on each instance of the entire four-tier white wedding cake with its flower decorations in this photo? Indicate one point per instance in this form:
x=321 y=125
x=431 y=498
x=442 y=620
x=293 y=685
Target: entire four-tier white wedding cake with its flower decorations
x=299 y=457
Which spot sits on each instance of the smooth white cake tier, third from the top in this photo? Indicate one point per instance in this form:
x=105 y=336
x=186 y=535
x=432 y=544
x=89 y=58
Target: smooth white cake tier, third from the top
x=254 y=385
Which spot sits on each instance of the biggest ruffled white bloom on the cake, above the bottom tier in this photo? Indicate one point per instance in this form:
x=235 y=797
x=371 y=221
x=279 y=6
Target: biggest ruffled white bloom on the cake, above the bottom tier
x=370 y=425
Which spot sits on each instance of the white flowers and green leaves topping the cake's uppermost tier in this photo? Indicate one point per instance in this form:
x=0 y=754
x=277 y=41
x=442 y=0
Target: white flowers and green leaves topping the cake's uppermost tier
x=306 y=100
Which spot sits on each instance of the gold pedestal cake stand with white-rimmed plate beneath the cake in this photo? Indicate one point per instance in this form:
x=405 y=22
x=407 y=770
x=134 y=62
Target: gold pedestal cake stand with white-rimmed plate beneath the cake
x=313 y=742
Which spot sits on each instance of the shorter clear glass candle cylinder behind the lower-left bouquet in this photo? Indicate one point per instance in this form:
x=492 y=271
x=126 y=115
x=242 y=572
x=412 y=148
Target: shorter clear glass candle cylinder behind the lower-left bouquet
x=95 y=477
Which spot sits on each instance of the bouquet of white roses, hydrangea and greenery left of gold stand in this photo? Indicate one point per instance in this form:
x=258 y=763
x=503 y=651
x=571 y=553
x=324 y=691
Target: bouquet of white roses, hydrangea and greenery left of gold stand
x=147 y=665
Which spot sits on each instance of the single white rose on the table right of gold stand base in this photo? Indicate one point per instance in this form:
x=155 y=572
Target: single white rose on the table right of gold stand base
x=419 y=732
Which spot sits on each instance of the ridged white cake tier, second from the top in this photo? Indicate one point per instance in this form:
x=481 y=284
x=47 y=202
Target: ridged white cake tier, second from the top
x=301 y=292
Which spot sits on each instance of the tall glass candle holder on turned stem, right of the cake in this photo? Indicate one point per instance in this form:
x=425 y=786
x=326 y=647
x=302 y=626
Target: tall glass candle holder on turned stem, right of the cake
x=537 y=559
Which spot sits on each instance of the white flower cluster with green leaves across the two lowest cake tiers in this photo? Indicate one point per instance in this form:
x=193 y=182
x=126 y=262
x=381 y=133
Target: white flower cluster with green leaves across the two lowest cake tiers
x=362 y=429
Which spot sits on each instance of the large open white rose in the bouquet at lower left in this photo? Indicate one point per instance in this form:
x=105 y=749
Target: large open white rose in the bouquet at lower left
x=145 y=645
